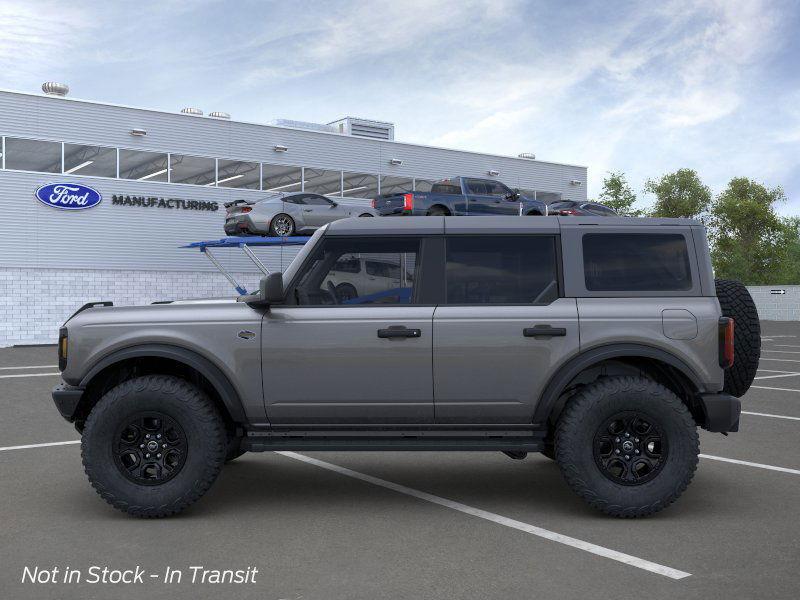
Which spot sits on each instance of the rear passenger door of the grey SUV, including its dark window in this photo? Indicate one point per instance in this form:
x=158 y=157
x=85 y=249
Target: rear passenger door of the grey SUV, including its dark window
x=503 y=328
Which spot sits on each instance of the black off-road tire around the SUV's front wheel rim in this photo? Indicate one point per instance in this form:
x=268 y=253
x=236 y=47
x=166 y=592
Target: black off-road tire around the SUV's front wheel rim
x=206 y=444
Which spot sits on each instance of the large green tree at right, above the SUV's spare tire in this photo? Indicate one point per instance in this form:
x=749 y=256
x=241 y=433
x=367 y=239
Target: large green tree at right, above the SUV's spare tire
x=750 y=241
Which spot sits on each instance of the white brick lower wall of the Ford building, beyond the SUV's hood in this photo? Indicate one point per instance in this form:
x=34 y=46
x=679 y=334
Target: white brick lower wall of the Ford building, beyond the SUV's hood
x=34 y=303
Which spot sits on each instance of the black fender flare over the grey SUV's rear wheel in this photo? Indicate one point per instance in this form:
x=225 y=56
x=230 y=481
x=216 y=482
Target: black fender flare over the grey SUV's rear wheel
x=574 y=366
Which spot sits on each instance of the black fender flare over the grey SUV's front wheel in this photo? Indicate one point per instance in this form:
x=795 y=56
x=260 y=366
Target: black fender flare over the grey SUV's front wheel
x=218 y=380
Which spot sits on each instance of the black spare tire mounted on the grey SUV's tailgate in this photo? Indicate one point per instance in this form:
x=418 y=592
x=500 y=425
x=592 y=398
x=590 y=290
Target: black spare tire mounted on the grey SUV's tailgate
x=736 y=302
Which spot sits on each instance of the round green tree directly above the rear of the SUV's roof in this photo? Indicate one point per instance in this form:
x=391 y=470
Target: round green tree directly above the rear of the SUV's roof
x=679 y=194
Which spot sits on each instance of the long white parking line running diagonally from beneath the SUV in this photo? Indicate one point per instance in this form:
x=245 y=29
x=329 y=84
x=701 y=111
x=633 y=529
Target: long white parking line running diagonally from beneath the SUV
x=627 y=559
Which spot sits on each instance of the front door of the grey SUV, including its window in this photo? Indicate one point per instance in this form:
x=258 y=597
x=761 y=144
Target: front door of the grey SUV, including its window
x=351 y=350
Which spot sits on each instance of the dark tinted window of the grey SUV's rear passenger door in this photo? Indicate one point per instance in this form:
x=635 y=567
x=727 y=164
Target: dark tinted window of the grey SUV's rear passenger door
x=501 y=270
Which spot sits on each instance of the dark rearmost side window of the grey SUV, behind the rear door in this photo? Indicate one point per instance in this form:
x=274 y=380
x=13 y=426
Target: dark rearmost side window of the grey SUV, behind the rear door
x=639 y=262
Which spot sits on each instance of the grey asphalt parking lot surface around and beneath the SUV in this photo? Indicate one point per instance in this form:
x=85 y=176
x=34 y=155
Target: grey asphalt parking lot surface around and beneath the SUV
x=411 y=525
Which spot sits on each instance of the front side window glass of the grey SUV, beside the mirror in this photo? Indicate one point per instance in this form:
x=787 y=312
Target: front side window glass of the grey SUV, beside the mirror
x=333 y=275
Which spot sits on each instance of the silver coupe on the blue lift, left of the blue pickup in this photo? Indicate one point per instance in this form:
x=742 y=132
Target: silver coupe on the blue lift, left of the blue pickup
x=288 y=213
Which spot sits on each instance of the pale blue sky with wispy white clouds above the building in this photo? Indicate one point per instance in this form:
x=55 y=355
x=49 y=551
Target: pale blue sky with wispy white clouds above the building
x=639 y=87
